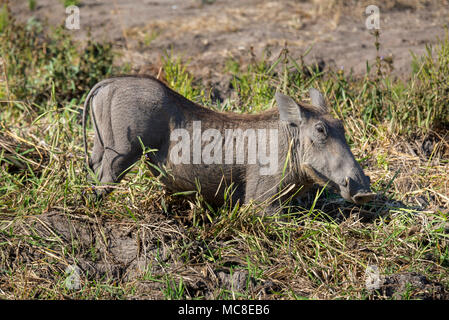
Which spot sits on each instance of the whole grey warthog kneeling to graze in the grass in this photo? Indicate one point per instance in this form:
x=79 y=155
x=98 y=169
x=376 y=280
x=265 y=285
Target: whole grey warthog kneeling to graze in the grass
x=257 y=156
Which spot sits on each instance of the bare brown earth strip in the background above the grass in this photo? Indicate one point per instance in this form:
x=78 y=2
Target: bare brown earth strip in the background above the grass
x=208 y=32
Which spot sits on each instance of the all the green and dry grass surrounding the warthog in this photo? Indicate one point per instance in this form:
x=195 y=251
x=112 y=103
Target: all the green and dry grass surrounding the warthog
x=320 y=249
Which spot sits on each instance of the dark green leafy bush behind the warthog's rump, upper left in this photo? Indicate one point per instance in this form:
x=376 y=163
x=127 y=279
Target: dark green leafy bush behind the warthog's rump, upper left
x=39 y=59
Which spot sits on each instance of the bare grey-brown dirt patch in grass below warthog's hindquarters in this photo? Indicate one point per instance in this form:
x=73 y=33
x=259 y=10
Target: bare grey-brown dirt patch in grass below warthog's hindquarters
x=107 y=248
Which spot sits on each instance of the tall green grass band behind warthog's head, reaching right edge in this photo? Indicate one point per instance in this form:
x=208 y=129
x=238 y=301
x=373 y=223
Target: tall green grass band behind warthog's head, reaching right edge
x=408 y=107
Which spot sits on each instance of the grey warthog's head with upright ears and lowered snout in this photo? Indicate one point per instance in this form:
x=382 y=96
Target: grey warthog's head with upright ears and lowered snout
x=320 y=149
